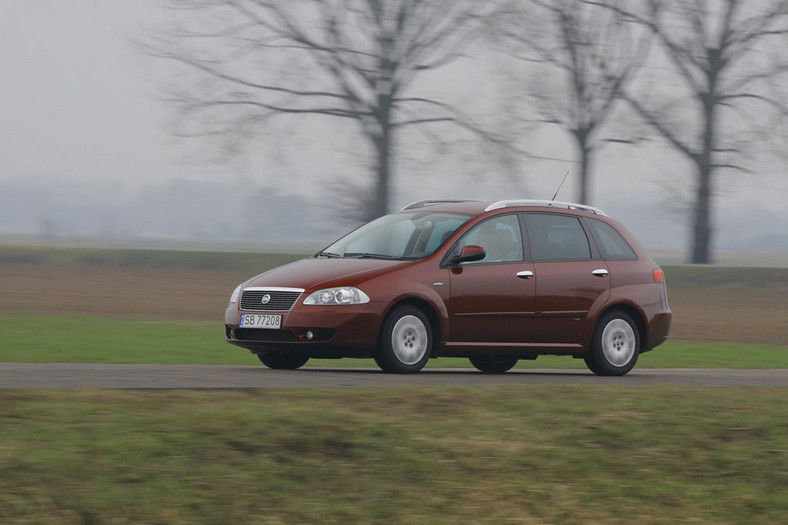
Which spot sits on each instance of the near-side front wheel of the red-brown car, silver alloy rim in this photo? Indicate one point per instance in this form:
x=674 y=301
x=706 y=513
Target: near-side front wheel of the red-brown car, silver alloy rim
x=405 y=342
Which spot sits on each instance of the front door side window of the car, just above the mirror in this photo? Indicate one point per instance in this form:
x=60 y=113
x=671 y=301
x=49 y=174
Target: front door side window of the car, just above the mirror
x=500 y=237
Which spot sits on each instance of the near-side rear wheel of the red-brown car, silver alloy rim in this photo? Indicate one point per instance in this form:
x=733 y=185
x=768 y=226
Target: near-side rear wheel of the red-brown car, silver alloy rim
x=615 y=346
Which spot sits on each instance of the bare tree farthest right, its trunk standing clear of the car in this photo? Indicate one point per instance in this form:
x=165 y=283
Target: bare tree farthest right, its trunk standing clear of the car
x=728 y=54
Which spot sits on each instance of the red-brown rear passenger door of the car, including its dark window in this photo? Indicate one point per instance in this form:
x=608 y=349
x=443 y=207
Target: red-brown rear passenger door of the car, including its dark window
x=571 y=279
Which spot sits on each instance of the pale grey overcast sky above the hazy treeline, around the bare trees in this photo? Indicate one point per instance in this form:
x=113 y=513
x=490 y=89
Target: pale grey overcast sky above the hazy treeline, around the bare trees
x=80 y=103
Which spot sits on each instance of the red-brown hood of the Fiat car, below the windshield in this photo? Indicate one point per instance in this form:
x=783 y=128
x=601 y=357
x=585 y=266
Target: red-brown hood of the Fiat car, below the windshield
x=313 y=274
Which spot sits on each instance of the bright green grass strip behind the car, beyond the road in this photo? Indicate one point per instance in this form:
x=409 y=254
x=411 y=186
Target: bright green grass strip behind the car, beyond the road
x=67 y=339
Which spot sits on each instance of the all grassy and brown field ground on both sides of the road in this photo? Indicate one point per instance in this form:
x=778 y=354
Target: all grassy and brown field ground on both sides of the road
x=384 y=455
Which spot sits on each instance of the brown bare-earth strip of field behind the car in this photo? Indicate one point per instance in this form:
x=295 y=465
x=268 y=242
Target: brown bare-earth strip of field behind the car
x=735 y=316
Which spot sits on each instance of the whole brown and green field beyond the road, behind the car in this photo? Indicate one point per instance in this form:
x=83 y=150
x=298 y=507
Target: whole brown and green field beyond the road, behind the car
x=83 y=305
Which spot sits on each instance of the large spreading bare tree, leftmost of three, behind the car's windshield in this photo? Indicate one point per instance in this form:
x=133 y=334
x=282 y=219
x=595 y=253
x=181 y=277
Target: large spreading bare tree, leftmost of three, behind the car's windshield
x=347 y=59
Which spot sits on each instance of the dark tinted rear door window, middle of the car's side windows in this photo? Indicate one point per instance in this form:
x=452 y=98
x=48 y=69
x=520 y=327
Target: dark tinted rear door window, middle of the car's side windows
x=557 y=238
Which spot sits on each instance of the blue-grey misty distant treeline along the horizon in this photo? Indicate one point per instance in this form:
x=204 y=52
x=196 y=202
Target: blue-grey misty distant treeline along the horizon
x=256 y=216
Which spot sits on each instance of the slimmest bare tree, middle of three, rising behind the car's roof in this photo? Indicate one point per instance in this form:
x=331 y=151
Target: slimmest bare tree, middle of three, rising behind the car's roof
x=592 y=52
